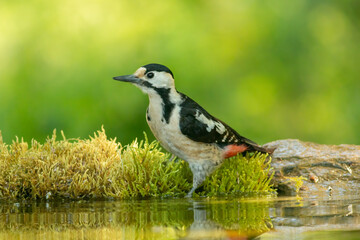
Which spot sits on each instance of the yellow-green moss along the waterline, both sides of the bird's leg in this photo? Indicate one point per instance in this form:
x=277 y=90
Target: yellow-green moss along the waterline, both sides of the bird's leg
x=99 y=167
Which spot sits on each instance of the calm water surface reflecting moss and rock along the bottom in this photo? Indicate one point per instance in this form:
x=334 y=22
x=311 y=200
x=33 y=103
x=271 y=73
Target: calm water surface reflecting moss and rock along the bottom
x=328 y=217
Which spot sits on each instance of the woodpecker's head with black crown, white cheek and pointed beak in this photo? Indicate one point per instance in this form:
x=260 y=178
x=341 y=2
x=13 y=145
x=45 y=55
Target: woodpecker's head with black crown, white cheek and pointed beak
x=150 y=77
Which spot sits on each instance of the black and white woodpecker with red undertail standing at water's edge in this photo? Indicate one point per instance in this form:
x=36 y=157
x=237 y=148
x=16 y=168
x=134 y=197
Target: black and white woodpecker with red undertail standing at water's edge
x=183 y=127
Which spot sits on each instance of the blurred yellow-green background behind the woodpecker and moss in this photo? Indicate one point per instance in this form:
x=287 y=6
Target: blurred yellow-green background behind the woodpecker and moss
x=270 y=69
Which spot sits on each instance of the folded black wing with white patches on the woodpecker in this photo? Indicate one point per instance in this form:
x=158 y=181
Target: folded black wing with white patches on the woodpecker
x=198 y=125
